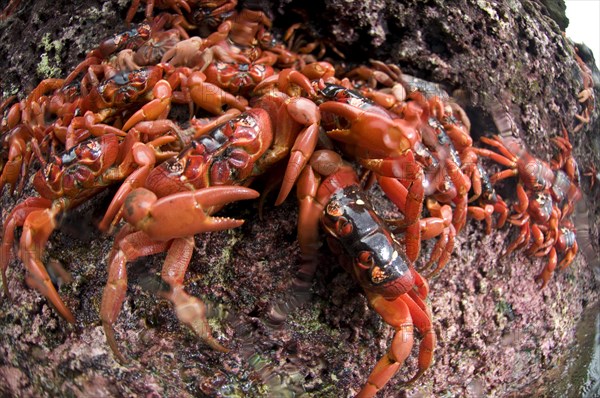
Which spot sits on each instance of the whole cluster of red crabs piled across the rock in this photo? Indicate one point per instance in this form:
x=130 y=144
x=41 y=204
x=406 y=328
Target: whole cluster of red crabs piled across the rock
x=183 y=116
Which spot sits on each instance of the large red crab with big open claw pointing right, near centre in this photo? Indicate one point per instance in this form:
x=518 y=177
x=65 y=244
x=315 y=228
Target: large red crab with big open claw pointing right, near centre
x=156 y=202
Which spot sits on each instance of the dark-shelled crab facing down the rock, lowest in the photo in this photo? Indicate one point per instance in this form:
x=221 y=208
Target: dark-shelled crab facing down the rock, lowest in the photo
x=330 y=195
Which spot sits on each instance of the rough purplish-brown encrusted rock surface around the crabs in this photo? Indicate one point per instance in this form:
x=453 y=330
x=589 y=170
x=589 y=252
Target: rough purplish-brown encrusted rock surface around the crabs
x=498 y=333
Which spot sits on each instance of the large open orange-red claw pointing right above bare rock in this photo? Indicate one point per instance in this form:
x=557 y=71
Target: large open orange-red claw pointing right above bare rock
x=183 y=214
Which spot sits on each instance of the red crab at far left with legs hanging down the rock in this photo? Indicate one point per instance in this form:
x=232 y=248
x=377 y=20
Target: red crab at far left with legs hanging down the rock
x=69 y=180
